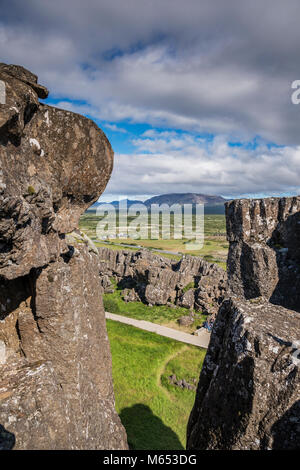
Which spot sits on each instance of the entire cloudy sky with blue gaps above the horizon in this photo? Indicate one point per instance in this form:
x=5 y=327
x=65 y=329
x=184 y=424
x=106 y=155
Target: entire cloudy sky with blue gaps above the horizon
x=194 y=96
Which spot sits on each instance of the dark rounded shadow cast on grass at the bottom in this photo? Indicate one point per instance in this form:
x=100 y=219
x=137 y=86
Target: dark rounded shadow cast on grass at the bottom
x=146 y=431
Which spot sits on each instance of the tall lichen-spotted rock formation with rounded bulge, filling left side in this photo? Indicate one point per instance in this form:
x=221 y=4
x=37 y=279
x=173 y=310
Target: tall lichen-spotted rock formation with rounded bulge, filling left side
x=55 y=365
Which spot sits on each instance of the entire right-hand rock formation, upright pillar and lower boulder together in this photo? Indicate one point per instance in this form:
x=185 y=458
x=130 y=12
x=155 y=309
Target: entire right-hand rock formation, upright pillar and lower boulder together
x=249 y=388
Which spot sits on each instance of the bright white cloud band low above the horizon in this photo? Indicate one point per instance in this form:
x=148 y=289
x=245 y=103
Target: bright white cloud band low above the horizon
x=188 y=164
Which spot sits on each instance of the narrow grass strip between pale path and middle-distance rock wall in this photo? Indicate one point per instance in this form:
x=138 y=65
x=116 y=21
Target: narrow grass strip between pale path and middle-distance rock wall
x=161 y=314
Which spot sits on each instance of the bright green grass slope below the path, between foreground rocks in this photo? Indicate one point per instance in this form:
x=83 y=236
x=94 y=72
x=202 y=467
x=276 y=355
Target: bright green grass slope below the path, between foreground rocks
x=154 y=413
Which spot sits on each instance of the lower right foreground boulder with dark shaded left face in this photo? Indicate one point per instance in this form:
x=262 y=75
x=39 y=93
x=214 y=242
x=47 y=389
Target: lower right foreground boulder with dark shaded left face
x=250 y=384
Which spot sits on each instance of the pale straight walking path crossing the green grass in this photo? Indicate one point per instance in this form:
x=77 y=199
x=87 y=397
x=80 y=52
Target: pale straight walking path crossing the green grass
x=201 y=340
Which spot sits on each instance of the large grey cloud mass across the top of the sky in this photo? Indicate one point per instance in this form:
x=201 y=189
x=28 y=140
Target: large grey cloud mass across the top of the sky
x=218 y=67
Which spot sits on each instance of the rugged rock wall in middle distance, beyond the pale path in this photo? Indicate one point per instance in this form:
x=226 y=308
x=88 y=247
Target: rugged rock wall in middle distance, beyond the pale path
x=192 y=282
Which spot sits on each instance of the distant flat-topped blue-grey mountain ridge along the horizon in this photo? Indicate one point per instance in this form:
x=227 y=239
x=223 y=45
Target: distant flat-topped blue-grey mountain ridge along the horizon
x=212 y=204
